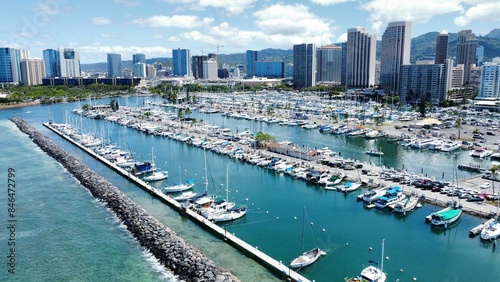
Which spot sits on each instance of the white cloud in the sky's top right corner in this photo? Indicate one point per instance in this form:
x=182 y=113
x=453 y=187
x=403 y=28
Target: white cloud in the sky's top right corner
x=481 y=12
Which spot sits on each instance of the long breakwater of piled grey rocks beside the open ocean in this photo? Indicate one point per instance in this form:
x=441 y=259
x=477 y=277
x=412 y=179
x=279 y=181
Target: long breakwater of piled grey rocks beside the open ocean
x=185 y=261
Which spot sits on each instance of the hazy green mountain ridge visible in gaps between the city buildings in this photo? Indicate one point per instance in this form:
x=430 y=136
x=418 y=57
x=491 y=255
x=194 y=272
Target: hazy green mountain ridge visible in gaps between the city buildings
x=422 y=48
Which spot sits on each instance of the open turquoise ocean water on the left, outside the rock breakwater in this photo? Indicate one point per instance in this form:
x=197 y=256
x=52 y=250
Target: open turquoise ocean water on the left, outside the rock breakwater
x=62 y=233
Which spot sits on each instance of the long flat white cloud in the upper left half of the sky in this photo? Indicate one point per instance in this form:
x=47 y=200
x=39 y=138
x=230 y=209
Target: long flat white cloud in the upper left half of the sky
x=179 y=21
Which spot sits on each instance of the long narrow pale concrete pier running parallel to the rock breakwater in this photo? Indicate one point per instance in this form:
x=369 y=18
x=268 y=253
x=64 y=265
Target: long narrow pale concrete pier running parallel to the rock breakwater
x=276 y=267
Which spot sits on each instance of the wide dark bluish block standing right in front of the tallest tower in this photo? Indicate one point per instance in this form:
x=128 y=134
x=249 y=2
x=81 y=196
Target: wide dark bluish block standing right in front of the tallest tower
x=420 y=80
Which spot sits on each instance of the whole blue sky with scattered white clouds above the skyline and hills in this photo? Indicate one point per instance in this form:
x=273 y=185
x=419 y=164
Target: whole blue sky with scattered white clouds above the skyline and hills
x=155 y=27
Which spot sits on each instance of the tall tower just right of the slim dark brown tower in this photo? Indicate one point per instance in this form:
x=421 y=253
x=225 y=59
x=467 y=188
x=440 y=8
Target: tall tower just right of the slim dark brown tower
x=466 y=51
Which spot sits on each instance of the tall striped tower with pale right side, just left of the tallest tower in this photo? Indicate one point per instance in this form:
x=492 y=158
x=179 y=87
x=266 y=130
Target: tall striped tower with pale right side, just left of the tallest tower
x=360 y=58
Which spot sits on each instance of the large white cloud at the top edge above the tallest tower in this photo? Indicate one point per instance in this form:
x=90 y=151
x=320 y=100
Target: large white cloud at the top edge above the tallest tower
x=416 y=11
